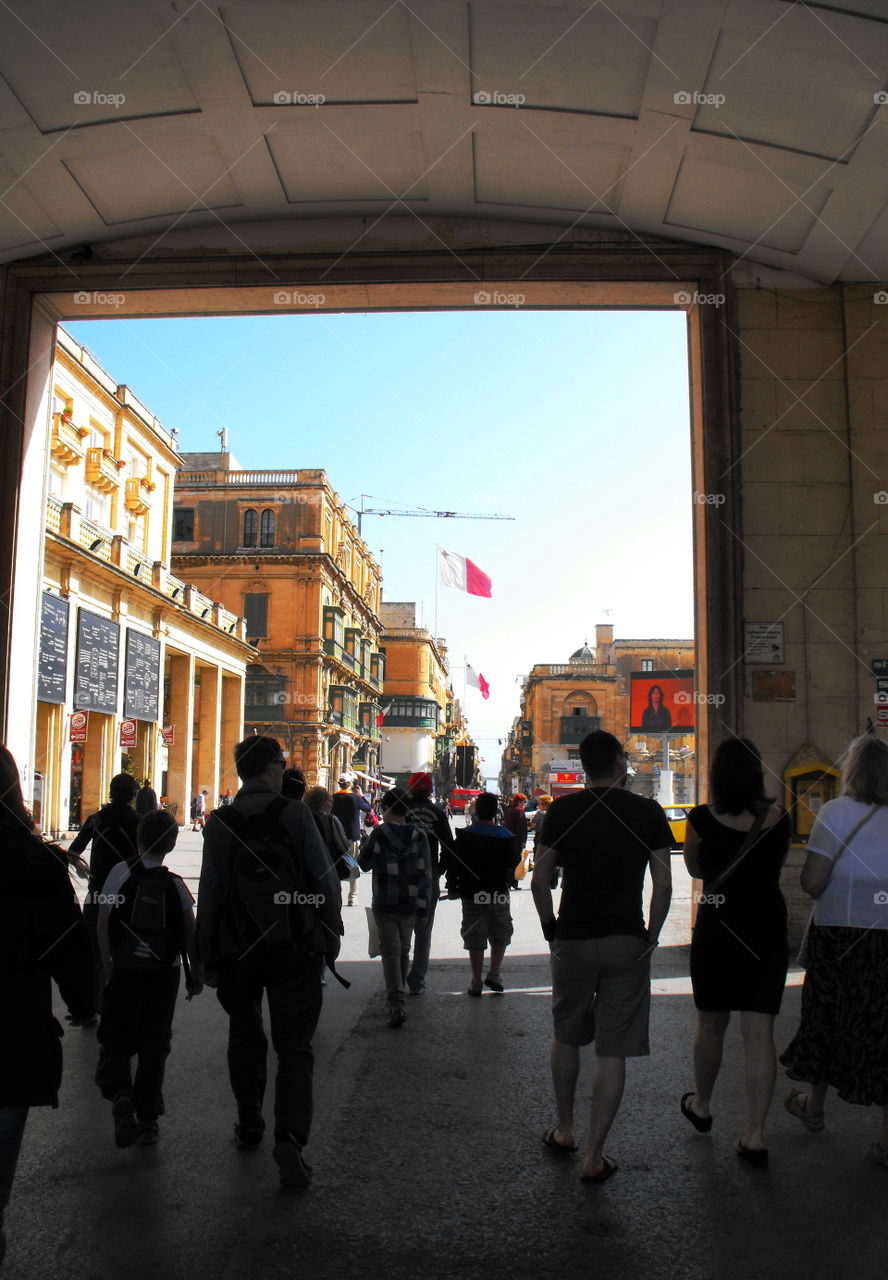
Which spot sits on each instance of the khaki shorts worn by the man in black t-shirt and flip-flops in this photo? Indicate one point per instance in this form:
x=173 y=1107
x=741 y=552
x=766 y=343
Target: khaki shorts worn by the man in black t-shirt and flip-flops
x=602 y=993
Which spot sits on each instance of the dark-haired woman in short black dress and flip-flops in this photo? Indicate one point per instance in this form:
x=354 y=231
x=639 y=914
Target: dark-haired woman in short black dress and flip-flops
x=739 y=953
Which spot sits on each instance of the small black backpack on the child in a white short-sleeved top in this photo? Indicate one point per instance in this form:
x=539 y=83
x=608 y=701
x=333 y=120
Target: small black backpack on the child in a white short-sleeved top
x=145 y=930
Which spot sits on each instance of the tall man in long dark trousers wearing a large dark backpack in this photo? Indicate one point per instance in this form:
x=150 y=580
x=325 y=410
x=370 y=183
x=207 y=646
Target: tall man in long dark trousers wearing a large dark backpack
x=268 y=921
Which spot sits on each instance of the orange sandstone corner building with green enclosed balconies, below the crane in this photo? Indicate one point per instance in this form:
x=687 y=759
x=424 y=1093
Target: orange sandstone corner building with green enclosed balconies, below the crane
x=280 y=548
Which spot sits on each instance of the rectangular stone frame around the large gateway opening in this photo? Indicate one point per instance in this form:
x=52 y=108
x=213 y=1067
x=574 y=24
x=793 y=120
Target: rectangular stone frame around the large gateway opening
x=36 y=295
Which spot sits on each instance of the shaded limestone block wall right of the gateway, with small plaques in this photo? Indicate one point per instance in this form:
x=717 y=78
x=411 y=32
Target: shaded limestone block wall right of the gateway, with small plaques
x=814 y=469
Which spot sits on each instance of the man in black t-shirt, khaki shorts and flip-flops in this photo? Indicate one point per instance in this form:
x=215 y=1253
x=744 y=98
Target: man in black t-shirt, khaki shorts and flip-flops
x=605 y=839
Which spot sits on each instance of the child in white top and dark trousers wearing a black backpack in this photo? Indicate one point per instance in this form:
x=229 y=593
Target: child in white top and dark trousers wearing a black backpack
x=147 y=925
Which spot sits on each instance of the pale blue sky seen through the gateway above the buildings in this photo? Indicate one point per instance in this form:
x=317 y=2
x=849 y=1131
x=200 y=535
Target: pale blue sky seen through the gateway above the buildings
x=574 y=423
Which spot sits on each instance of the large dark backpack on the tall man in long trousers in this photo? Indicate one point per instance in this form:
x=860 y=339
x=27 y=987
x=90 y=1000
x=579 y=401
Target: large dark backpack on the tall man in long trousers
x=267 y=898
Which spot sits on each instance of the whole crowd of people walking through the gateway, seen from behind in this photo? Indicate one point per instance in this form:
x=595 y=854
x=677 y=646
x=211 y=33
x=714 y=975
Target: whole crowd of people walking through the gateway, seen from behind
x=278 y=857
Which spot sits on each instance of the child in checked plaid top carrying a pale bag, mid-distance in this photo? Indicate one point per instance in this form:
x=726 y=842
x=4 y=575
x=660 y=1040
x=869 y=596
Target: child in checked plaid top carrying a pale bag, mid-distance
x=401 y=862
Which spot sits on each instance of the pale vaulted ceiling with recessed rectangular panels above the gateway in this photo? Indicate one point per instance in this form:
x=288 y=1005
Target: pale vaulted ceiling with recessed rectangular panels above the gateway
x=758 y=126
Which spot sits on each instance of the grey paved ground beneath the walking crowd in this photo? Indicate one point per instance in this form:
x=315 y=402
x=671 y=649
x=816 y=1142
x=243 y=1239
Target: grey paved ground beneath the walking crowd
x=428 y=1158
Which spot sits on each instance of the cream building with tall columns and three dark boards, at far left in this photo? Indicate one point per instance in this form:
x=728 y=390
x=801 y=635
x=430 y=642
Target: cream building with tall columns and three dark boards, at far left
x=139 y=671
